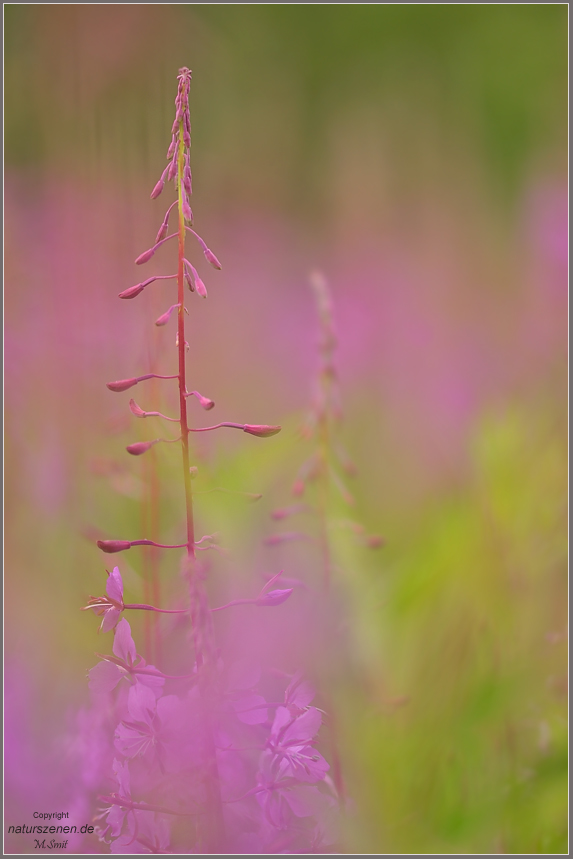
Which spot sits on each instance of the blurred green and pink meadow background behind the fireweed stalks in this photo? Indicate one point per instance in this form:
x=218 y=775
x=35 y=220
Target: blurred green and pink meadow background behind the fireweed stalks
x=417 y=154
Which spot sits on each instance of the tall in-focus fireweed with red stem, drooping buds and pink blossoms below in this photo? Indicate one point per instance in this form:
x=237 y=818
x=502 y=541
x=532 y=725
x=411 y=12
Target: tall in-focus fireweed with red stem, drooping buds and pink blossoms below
x=201 y=762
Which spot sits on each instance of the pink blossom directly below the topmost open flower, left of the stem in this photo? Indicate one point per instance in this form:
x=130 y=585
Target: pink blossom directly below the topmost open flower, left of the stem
x=125 y=663
